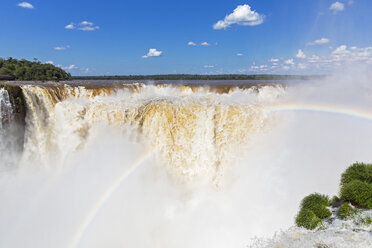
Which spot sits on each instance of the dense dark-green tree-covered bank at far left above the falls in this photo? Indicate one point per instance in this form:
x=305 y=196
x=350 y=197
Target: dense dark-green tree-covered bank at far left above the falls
x=23 y=70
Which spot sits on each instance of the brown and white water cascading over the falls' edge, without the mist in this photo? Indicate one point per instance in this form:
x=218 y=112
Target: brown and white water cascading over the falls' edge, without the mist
x=195 y=133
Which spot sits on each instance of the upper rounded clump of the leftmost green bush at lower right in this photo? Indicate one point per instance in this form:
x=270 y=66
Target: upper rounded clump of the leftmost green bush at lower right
x=318 y=204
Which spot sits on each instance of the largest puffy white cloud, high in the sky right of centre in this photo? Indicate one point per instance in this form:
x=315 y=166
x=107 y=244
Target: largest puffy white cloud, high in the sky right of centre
x=242 y=15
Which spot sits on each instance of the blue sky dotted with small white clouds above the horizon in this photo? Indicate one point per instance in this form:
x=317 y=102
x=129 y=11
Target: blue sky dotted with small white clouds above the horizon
x=204 y=37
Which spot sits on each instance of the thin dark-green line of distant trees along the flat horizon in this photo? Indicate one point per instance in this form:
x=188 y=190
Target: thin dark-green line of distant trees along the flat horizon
x=199 y=77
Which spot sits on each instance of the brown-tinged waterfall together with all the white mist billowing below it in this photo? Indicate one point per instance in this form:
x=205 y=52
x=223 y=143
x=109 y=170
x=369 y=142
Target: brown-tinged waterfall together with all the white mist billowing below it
x=223 y=168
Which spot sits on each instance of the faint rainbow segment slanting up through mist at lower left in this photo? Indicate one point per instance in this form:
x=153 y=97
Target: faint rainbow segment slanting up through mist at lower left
x=104 y=198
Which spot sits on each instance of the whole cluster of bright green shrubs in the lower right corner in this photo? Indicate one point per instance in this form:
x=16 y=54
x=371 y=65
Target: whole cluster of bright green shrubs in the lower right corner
x=356 y=188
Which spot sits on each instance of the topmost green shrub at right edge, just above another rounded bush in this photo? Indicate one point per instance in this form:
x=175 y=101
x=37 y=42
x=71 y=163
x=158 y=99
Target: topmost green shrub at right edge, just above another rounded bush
x=357 y=171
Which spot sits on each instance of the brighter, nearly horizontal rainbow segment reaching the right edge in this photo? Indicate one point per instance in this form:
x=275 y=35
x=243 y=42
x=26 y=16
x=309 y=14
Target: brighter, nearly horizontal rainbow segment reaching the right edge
x=323 y=108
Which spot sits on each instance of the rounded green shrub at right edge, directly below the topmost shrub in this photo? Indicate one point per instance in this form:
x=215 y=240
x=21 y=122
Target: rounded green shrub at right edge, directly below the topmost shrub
x=358 y=193
